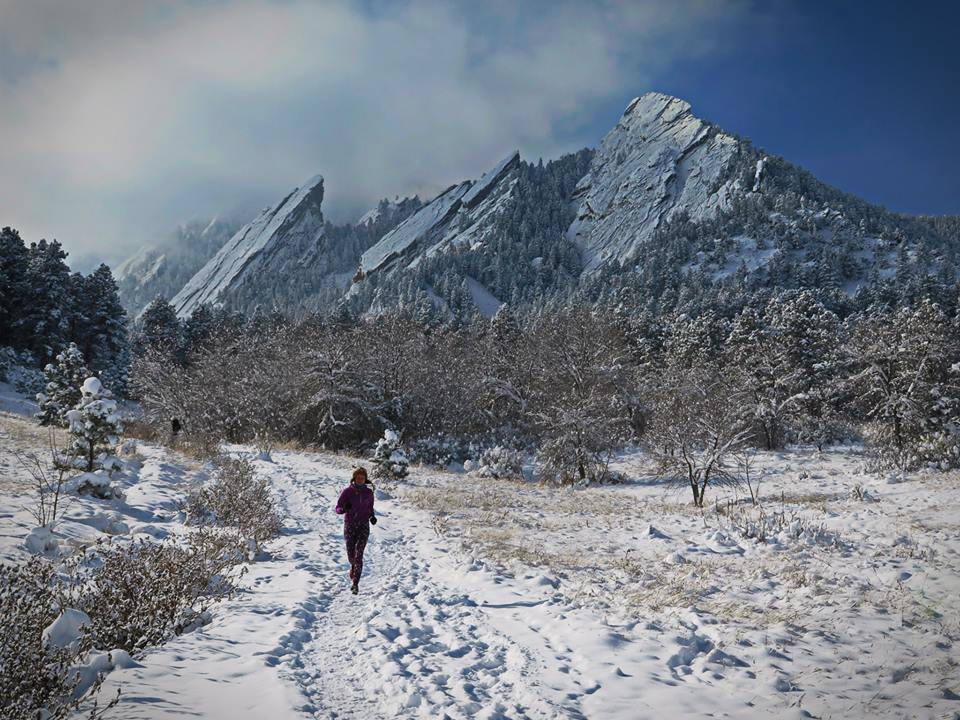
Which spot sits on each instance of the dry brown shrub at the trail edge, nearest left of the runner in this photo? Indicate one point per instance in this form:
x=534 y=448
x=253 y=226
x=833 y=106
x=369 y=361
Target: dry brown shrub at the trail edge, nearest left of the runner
x=237 y=498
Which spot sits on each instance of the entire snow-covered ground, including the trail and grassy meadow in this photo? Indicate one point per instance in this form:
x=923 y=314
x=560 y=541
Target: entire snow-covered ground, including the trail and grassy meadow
x=497 y=599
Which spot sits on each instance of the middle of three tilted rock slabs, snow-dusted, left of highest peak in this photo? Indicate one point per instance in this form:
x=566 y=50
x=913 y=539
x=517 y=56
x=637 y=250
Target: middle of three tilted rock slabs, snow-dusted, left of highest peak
x=461 y=215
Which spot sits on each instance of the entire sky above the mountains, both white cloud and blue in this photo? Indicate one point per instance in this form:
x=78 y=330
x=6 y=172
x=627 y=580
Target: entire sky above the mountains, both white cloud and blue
x=123 y=118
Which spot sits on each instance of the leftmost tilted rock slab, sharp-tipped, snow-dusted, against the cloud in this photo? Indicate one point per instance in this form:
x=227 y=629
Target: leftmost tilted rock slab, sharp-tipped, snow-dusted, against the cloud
x=283 y=236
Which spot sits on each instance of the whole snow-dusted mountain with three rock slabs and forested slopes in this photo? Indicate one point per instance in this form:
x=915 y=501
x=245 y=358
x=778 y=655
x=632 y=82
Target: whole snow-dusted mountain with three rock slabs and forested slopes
x=670 y=208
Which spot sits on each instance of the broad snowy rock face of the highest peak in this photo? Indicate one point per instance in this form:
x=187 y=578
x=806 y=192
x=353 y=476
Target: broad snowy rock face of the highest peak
x=659 y=160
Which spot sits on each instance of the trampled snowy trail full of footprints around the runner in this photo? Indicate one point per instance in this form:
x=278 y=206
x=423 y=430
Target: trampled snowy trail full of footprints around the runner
x=408 y=646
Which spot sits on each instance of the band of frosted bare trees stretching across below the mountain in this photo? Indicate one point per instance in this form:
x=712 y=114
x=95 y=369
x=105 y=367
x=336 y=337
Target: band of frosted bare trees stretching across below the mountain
x=572 y=382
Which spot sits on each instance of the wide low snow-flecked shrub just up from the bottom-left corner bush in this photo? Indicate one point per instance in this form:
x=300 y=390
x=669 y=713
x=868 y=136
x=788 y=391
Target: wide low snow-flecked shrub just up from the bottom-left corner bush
x=140 y=594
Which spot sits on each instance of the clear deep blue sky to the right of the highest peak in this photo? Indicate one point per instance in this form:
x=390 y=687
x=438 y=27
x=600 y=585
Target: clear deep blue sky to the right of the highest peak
x=864 y=94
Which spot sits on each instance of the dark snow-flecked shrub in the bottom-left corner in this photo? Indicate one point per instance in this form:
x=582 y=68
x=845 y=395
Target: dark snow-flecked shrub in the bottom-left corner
x=39 y=649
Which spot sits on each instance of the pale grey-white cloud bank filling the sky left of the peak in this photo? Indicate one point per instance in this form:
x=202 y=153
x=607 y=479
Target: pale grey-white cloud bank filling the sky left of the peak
x=121 y=119
